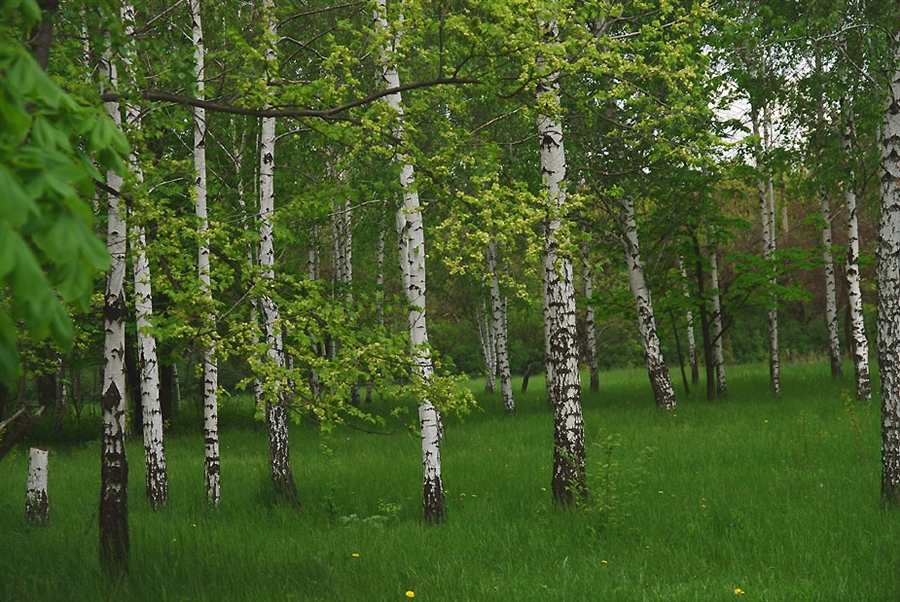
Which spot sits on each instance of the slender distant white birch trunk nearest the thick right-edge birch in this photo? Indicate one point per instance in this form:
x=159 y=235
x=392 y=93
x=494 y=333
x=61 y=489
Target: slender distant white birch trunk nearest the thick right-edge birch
x=859 y=343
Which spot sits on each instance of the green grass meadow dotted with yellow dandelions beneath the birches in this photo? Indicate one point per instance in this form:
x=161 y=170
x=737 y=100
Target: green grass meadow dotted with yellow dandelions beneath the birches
x=776 y=497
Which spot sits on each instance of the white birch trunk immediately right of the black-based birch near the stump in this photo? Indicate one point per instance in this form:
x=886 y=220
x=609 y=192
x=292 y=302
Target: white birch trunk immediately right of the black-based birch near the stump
x=154 y=453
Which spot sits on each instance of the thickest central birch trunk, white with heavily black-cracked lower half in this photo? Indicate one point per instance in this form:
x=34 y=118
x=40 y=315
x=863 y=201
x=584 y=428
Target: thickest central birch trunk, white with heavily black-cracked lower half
x=564 y=381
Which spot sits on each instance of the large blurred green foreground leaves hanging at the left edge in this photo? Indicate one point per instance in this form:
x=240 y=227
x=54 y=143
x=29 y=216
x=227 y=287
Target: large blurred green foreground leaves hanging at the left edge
x=49 y=144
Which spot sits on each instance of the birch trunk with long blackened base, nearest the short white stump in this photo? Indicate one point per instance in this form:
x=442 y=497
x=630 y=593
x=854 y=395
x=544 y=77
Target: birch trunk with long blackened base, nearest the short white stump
x=113 y=512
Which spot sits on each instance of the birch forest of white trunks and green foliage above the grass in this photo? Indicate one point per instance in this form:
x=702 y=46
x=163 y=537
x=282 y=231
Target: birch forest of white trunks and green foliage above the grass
x=203 y=199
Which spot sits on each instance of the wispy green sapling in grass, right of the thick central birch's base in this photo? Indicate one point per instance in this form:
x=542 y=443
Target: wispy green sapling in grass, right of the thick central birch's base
x=618 y=488
